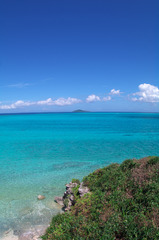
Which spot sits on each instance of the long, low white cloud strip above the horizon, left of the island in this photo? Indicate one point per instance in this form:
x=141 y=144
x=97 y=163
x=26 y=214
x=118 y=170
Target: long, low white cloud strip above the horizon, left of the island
x=49 y=101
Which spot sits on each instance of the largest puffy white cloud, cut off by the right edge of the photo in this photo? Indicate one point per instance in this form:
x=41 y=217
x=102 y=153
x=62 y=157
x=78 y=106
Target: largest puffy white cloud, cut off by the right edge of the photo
x=147 y=93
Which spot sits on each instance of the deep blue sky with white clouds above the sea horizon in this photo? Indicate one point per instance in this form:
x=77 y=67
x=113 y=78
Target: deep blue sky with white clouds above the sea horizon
x=95 y=55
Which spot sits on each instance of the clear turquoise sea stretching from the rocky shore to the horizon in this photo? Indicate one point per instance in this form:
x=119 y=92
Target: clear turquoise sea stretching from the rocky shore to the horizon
x=40 y=153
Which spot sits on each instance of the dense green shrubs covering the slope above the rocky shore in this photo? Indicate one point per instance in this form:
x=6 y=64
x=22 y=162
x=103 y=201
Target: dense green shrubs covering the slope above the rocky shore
x=123 y=204
